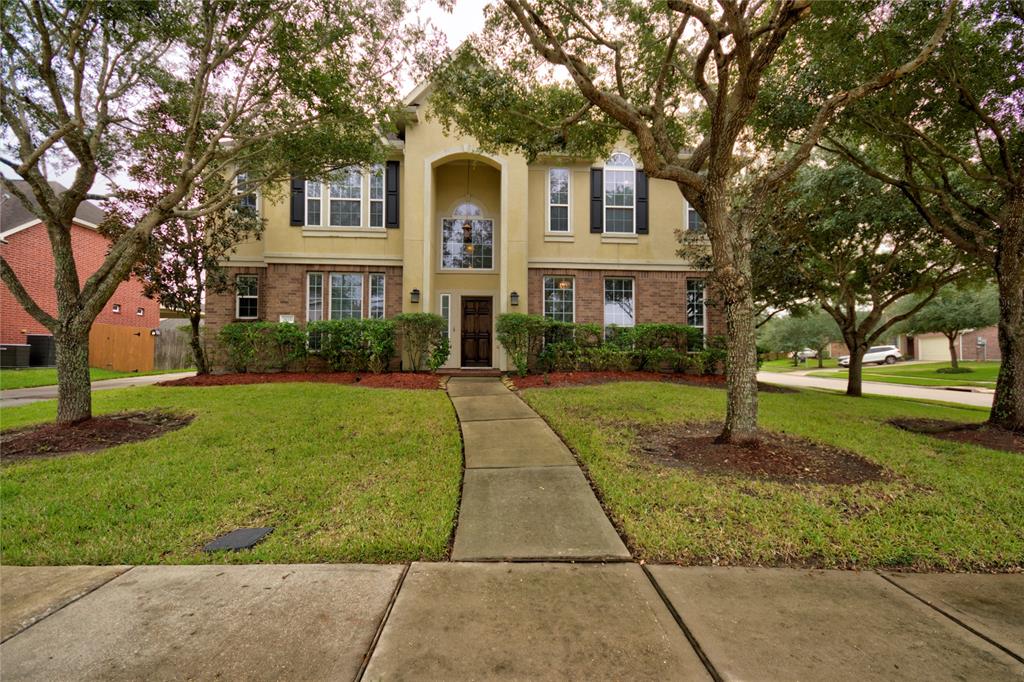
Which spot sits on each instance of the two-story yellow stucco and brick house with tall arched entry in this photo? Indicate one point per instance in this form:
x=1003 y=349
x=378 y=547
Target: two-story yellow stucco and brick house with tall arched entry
x=445 y=228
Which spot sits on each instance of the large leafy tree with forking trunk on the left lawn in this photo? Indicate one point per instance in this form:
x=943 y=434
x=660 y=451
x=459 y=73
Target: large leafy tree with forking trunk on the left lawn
x=194 y=91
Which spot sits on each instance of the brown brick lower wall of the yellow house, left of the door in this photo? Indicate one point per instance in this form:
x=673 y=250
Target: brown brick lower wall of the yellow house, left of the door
x=282 y=291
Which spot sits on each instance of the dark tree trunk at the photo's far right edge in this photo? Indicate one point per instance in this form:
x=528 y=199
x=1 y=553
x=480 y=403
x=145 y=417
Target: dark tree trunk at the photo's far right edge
x=1008 y=406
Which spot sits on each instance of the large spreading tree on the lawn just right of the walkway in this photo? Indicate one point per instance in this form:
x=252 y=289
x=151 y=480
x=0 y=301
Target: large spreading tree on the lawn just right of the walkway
x=681 y=79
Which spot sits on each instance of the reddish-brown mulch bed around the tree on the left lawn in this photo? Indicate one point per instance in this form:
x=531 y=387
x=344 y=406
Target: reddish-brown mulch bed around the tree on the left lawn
x=97 y=434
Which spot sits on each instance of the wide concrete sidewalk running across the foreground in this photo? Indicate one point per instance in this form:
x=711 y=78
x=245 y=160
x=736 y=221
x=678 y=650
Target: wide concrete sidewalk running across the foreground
x=506 y=621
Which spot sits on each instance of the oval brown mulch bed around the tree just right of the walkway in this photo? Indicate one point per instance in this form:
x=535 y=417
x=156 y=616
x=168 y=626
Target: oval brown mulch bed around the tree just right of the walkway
x=776 y=457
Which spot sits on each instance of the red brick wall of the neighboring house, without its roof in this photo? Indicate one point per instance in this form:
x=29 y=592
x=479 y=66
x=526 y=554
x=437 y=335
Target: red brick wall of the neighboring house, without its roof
x=30 y=257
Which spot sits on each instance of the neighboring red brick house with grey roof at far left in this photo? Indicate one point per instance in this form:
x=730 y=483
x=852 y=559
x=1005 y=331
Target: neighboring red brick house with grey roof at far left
x=27 y=248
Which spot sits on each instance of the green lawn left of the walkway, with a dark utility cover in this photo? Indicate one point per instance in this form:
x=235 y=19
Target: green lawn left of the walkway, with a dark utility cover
x=343 y=474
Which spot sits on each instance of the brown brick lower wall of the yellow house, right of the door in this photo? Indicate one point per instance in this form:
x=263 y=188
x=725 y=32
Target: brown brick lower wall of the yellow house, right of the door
x=661 y=296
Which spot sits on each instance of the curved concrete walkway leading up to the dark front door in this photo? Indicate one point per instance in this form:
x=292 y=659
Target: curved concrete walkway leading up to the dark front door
x=524 y=496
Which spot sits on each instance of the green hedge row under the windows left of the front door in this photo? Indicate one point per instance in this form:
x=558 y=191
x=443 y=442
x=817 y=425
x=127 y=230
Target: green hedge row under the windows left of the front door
x=347 y=346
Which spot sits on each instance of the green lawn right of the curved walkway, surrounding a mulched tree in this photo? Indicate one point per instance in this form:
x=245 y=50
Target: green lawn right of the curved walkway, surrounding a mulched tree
x=952 y=506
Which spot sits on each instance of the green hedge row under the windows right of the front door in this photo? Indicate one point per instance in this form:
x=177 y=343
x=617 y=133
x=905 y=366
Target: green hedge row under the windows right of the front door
x=536 y=343
